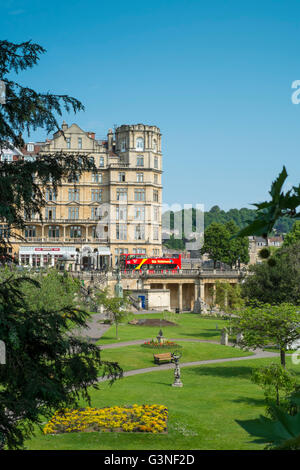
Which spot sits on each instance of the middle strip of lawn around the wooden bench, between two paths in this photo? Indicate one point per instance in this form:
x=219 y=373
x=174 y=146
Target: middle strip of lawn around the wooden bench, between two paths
x=137 y=357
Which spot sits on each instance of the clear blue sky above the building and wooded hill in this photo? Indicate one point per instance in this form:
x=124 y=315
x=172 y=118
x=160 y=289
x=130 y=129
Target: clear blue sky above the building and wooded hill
x=214 y=76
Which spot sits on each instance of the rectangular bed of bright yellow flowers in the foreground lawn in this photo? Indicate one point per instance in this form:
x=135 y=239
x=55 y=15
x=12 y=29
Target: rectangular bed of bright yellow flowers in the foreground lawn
x=135 y=418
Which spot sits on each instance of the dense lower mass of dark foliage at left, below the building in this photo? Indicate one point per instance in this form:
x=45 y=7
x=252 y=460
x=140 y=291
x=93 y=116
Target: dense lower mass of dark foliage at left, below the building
x=46 y=367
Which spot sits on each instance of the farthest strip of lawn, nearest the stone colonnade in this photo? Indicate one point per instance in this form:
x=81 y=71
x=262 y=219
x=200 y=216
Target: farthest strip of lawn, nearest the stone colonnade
x=190 y=325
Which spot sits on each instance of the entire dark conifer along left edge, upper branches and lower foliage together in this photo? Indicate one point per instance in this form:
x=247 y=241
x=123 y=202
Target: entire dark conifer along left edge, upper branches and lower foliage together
x=46 y=368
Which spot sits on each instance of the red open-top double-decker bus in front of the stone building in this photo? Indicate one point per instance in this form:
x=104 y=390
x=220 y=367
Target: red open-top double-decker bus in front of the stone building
x=141 y=261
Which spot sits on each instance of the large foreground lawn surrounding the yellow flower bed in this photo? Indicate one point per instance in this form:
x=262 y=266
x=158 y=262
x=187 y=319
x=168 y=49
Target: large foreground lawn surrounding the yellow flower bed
x=201 y=415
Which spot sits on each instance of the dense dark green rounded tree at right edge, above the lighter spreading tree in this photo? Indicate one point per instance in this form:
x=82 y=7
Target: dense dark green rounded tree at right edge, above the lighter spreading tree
x=276 y=279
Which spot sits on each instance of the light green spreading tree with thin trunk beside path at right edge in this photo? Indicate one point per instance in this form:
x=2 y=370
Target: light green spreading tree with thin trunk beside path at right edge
x=267 y=324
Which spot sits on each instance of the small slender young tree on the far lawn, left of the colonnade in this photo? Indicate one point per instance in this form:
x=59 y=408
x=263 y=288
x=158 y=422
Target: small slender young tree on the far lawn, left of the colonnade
x=115 y=306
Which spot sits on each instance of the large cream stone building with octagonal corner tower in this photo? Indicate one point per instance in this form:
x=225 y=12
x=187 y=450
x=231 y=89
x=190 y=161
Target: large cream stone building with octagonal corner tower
x=117 y=209
